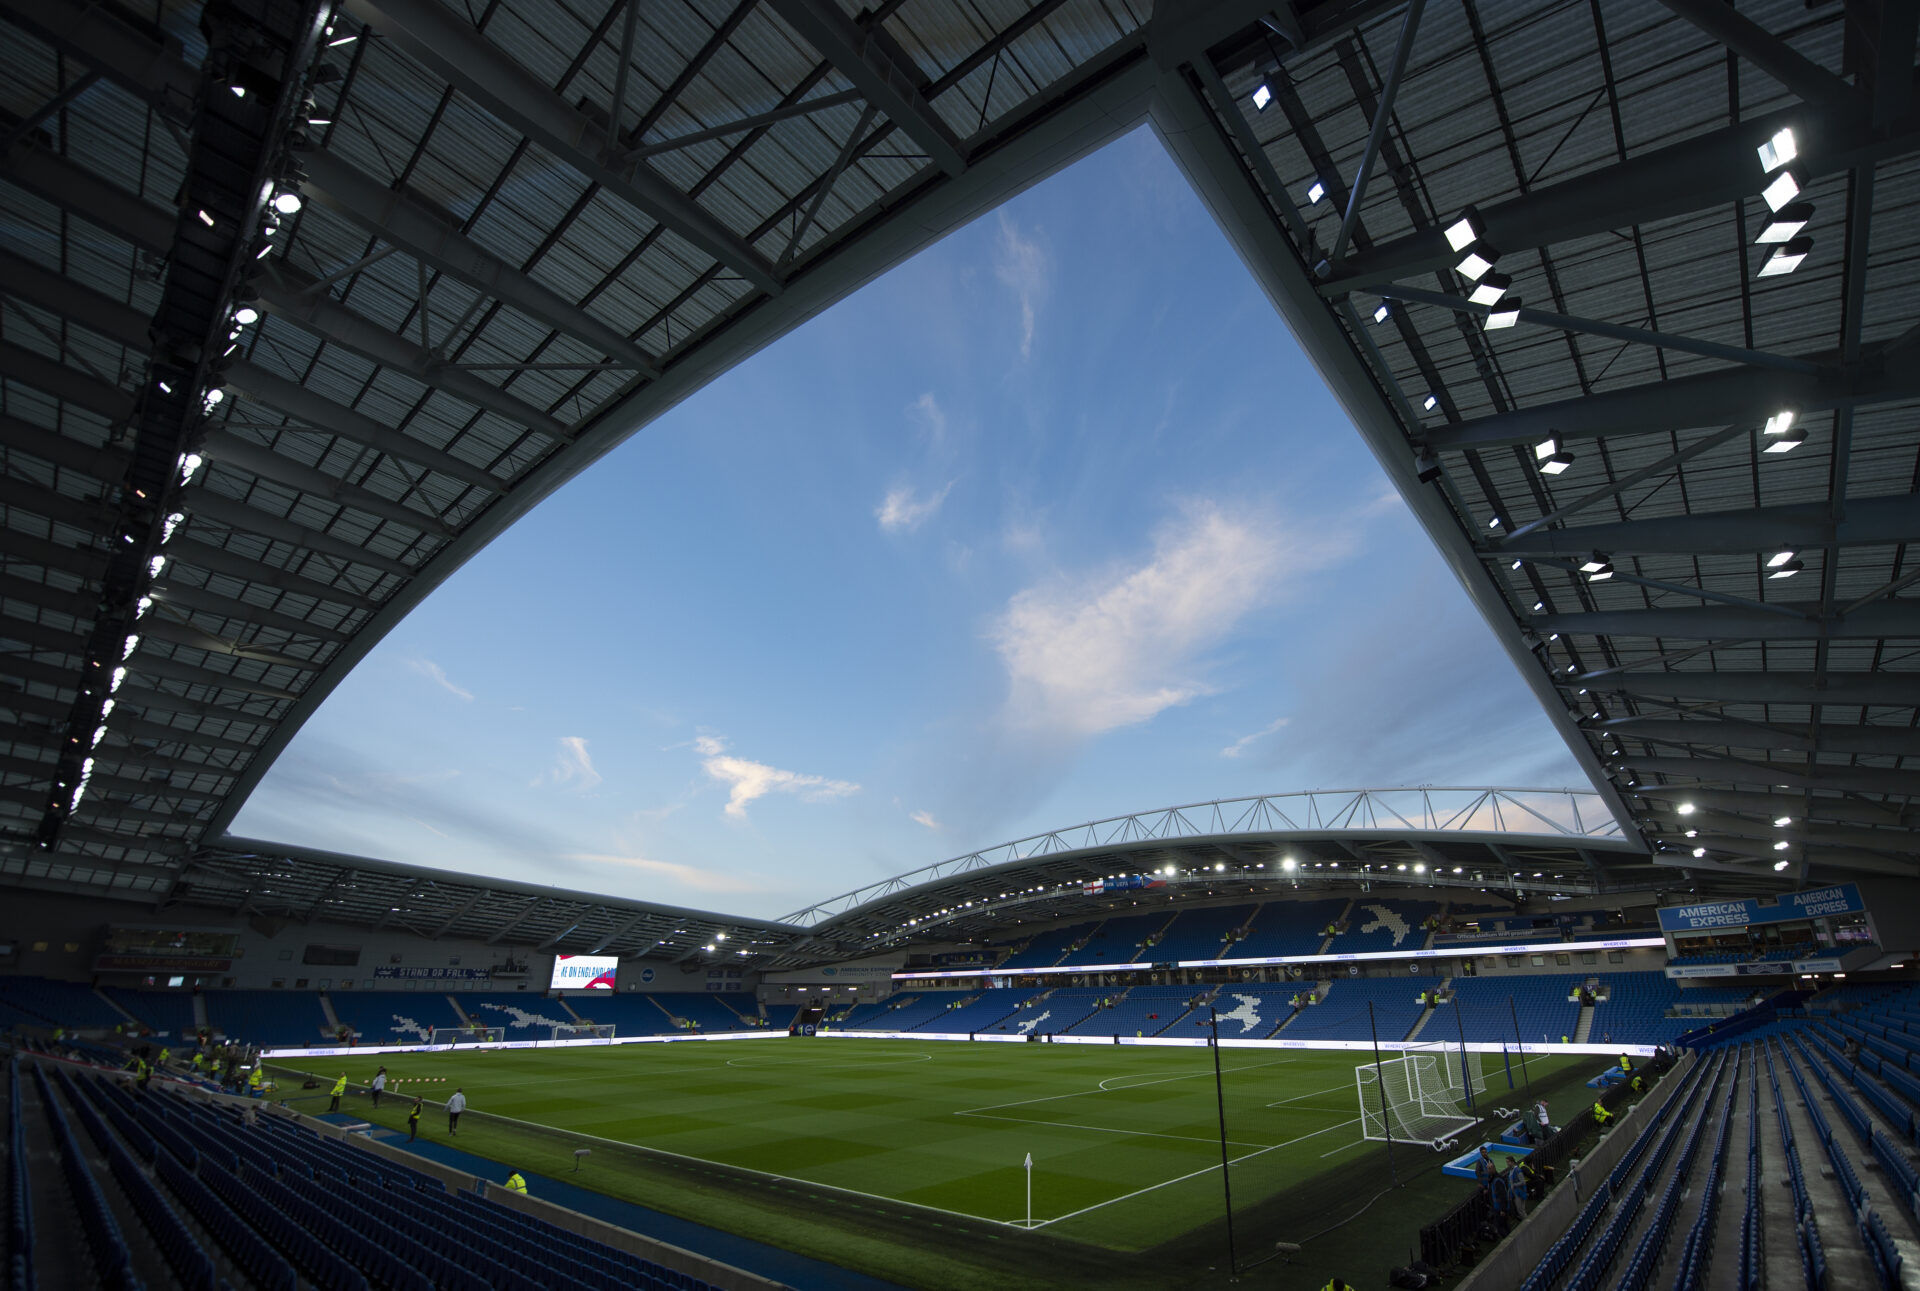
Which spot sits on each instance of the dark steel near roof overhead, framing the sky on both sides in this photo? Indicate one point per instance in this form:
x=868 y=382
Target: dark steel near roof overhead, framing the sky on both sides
x=306 y=304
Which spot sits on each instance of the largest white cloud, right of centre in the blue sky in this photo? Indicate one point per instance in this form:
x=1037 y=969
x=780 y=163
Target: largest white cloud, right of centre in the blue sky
x=1116 y=648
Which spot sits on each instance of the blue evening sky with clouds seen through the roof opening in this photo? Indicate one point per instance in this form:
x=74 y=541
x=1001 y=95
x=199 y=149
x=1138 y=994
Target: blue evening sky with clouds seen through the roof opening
x=1051 y=524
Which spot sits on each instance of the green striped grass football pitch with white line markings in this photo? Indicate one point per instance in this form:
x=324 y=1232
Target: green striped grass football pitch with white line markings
x=1126 y=1140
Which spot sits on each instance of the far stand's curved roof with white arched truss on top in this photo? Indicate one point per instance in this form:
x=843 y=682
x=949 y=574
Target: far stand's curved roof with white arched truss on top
x=1550 y=842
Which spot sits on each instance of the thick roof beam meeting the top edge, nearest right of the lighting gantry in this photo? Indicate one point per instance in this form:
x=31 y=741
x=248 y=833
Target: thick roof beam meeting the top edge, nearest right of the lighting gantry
x=487 y=74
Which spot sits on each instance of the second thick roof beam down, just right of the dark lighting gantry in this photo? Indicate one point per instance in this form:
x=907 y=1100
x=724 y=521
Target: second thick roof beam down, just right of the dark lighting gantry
x=423 y=233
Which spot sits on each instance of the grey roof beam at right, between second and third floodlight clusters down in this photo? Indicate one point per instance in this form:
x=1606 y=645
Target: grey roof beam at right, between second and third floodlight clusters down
x=1867 y=522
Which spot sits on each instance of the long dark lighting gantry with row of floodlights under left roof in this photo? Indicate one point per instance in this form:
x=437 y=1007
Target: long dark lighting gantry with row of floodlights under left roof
x=241 y=180
